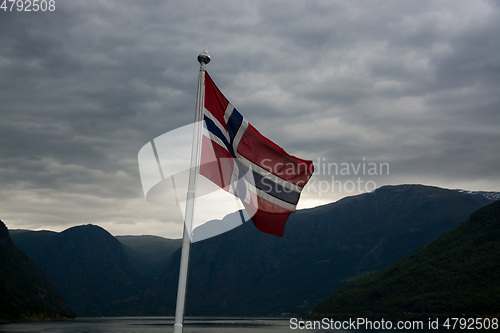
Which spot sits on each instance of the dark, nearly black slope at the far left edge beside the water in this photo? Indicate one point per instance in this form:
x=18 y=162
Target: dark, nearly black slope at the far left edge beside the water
x=26 y=294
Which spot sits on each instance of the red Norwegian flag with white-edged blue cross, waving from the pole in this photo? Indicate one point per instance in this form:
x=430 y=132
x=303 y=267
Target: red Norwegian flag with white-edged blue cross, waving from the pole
x=239 y=159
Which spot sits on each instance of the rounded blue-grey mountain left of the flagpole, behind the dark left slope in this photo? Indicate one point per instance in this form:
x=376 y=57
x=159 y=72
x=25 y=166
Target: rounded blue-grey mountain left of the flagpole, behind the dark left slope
x=89 y=266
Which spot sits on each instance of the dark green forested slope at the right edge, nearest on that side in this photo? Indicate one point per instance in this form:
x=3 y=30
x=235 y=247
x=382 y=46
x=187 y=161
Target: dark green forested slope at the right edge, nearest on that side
x=454 y=275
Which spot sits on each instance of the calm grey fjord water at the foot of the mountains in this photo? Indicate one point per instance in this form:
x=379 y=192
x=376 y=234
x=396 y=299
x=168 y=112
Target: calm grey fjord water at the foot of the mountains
x=165 y=324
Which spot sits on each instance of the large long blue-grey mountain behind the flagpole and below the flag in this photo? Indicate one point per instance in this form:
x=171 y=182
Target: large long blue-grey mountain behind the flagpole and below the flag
x=245 y=272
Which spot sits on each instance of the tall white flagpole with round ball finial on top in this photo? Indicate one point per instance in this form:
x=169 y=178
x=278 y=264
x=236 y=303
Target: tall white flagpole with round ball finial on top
x=203 y=59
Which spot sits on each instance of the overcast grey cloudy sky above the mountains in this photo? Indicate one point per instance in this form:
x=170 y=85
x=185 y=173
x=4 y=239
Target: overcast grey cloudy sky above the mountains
x=410 y=84
